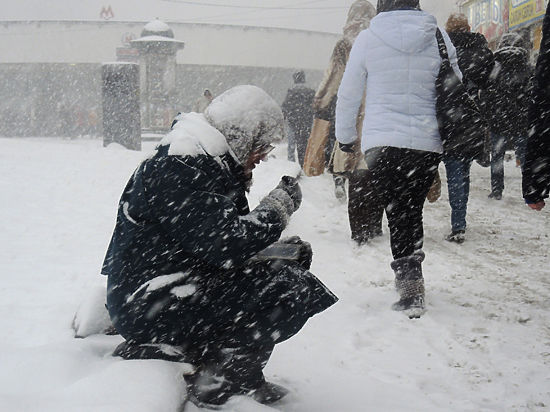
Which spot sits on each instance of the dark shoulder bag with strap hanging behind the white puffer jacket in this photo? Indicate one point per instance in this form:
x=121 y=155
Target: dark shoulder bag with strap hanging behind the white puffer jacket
x=461 y=125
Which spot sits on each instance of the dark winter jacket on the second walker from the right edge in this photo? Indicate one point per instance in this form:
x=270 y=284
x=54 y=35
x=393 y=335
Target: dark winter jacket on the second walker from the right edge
x=507 y=93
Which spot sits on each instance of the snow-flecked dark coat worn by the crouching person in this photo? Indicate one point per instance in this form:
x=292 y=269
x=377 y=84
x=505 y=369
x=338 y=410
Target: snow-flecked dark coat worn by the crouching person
x=179 y=263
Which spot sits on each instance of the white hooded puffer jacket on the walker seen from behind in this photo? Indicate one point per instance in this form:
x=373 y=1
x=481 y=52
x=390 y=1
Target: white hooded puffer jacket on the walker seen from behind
x=397 y=60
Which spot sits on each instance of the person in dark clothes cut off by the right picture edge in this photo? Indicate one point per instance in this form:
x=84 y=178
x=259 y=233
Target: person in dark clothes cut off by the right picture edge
x=536 y=170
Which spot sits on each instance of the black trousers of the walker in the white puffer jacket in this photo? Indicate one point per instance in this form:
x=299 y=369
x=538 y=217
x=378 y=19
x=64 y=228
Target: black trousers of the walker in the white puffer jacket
x=402 y=179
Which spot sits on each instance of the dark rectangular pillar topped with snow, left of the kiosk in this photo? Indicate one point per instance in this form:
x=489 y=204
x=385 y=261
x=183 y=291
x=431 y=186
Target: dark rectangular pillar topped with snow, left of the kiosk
x=121 y=111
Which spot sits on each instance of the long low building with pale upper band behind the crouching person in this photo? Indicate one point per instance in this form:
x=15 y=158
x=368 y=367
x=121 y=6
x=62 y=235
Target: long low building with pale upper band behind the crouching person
x=50 y=71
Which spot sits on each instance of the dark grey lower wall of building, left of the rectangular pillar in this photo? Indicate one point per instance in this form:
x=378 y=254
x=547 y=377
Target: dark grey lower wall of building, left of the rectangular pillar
x=50 y=99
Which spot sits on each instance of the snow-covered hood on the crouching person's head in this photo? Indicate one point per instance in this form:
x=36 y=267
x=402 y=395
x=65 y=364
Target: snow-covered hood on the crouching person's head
x=248 y=118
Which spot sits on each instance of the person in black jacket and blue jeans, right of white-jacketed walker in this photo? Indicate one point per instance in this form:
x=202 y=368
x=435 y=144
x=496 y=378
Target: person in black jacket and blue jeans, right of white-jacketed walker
x=476 y=62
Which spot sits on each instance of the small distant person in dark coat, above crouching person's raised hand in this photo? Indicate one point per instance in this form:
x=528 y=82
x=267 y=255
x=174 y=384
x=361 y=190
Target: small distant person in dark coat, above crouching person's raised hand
x=298 y=113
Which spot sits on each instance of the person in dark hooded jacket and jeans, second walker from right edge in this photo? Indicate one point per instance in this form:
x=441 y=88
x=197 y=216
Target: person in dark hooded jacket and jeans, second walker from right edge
x=507 y=102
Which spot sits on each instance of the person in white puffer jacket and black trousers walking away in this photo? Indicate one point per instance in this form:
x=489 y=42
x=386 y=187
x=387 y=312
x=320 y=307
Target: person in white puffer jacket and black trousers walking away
x=396 y=60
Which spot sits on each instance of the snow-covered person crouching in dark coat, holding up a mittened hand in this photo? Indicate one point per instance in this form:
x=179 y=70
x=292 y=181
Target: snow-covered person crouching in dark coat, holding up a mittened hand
x=191 y=267
